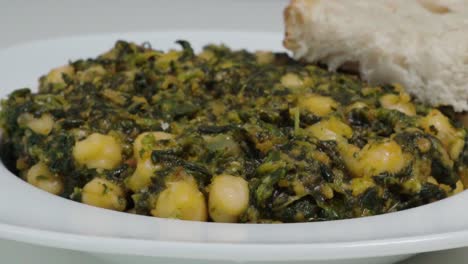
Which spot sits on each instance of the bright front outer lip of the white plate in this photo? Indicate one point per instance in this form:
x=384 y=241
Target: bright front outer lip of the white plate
x=241 y=252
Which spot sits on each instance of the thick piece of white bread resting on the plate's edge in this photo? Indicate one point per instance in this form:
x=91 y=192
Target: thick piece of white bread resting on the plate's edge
x=421 y=44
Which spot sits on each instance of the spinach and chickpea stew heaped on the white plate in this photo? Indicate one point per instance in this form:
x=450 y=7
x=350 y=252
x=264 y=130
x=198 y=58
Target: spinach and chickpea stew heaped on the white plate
x=229 y=136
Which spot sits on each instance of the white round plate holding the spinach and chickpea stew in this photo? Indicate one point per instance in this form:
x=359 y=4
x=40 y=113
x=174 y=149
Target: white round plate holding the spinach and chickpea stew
x=31 y=215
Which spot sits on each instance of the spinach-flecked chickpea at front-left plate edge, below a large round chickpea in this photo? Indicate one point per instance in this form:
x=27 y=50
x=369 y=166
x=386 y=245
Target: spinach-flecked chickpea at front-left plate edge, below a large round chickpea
x=103 y=193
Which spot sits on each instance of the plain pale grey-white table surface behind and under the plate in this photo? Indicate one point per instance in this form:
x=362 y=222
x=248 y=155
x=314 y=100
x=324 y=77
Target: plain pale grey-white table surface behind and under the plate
x=22 y=21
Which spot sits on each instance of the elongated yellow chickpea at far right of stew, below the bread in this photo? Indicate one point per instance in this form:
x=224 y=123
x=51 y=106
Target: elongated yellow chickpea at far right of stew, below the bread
x=439 y=125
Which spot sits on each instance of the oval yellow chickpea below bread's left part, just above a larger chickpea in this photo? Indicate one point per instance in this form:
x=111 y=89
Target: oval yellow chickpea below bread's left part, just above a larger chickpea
x=317 y=104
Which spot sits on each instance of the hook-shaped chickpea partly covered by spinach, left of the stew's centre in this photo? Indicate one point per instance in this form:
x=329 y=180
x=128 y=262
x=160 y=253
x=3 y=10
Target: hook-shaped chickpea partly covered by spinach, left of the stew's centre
x=146 y=142
